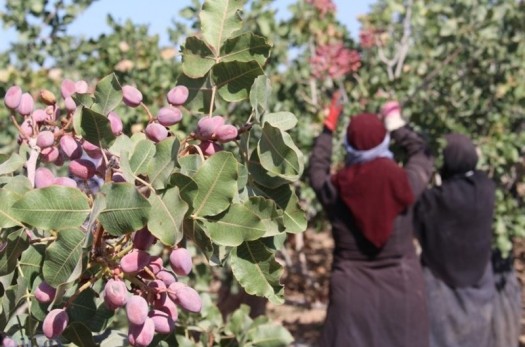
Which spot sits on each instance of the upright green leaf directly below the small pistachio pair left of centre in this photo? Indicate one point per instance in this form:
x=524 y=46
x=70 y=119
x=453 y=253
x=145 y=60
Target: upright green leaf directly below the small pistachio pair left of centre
x=163 y=163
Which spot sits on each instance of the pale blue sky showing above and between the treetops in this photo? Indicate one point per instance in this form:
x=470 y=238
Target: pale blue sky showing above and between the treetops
x=158 y=17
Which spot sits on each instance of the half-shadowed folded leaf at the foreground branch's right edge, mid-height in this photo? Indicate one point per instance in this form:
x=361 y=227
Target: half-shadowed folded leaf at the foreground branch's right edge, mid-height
x=294 y=218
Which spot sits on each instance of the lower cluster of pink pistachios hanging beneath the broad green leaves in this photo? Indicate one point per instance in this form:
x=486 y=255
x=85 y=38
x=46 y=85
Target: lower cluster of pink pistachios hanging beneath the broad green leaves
x=153 y=308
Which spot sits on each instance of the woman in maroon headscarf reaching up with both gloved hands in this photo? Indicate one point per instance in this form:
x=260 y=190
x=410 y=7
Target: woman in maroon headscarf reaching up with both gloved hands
x=377 y=294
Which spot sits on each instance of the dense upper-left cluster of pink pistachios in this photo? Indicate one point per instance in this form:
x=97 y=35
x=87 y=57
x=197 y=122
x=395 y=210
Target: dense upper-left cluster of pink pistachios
x=42 y=128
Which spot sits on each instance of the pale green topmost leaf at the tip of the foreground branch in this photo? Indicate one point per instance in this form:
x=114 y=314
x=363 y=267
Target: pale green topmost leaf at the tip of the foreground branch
x=219 y=20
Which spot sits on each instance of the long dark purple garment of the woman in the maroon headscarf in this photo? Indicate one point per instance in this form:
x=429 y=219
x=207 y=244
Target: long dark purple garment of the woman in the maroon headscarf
x=377 y=295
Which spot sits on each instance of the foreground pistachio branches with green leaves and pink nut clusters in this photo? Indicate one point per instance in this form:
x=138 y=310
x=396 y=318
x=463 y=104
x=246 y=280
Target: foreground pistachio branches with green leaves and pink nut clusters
x=103 y=229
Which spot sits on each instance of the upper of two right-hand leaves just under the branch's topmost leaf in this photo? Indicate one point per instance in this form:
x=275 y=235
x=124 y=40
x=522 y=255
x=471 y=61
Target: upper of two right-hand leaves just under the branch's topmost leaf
x=246 y=47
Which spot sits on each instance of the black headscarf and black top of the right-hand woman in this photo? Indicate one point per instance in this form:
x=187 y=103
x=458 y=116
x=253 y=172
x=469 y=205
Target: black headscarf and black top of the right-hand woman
x=454 y=220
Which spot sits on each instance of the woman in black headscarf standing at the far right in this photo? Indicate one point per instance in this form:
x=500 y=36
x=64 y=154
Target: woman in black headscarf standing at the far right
x=454 y=225
